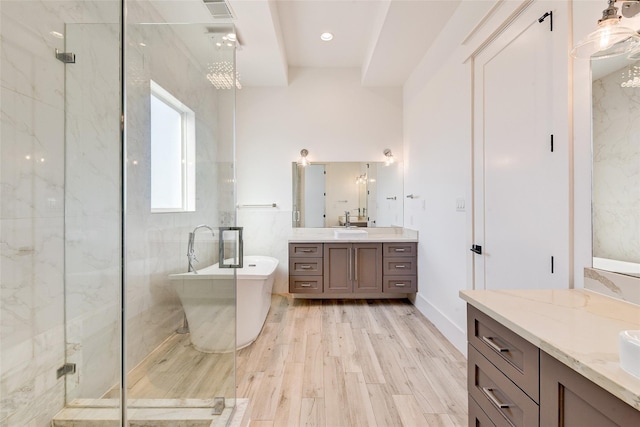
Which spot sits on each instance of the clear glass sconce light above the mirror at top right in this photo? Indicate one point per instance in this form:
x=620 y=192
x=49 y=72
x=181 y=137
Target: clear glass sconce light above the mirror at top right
x=610 y=38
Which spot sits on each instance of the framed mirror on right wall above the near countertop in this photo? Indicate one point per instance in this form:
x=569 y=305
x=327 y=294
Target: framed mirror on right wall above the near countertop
x=616 y=165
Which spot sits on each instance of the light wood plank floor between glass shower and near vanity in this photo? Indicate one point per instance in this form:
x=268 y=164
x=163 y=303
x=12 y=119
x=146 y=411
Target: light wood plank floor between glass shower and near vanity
x=351 y=363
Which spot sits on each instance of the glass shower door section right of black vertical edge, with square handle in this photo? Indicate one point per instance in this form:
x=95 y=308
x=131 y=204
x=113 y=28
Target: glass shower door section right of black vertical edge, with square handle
x=180 y=189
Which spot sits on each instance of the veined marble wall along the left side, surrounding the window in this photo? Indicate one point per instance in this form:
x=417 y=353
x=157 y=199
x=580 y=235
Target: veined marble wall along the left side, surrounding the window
x=60 y=151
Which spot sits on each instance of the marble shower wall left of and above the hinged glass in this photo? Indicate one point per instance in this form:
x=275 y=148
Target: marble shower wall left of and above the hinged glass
x=32 y=203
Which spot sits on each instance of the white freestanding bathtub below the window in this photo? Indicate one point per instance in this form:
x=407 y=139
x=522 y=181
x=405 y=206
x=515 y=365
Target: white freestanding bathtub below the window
x=209 y=301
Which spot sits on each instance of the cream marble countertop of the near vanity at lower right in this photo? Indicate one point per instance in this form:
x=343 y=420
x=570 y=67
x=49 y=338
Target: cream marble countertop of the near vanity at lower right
x=576 y=326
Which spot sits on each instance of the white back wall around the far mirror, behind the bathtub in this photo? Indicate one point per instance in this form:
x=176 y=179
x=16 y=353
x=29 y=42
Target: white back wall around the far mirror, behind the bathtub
x=323 y=110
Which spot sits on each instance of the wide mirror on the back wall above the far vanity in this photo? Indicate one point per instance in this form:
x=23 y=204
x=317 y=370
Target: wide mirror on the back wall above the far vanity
x=370 y=191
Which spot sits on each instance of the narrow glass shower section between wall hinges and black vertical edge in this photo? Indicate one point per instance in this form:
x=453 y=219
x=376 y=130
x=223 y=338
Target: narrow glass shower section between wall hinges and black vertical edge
x=92 y=220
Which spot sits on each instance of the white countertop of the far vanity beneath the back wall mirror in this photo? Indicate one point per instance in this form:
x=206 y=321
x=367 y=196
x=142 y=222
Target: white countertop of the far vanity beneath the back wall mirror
x=374 y=234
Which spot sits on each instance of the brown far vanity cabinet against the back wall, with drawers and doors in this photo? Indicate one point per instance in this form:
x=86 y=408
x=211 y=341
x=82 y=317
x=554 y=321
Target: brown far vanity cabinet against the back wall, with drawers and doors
x=353 y=268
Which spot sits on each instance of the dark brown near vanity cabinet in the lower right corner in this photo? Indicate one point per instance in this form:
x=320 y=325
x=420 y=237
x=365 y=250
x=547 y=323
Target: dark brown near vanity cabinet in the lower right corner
x=511 y=382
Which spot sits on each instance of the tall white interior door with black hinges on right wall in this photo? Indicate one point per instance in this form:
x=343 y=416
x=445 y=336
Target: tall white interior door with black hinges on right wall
x=520 y=201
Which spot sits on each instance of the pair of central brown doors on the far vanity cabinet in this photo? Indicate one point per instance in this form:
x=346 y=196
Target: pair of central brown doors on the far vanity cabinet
x=352 y=267
